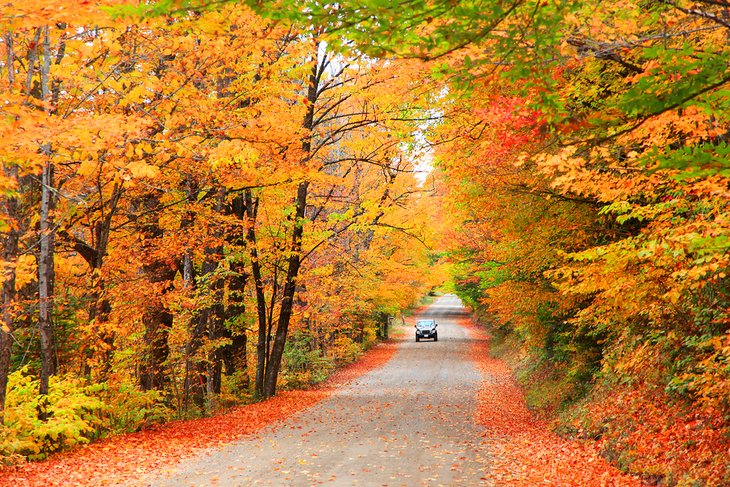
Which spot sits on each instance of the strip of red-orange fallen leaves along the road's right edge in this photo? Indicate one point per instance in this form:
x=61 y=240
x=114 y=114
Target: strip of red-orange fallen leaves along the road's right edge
x=524 y=451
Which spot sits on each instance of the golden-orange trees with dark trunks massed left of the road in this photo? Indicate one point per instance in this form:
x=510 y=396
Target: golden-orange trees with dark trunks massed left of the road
x=177 y=189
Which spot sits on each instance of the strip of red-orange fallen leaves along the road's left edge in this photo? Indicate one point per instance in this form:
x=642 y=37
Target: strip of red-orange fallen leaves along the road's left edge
x=124 y=459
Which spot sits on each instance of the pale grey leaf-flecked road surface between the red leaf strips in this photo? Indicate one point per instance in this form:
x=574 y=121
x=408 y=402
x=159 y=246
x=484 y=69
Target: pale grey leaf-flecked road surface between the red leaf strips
x=408 y=423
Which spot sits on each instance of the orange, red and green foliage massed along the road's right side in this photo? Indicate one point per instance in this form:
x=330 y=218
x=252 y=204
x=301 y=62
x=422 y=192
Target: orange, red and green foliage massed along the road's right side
x=602 y=248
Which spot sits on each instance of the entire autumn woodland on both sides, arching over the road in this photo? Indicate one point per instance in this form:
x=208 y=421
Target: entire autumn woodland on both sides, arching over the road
x=206 y=202
